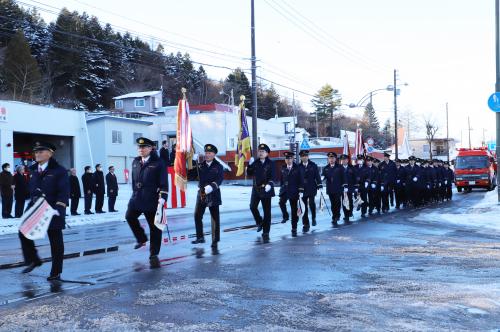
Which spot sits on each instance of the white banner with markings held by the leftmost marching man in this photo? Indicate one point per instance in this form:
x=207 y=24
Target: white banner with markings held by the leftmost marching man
x=36 y=220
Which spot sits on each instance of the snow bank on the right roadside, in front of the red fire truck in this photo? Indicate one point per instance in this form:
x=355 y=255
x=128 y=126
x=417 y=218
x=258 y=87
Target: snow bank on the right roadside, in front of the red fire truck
x=486 y=213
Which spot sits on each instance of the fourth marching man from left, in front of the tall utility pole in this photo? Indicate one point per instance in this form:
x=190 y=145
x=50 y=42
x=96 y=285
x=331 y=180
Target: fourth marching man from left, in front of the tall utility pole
x=262 y=171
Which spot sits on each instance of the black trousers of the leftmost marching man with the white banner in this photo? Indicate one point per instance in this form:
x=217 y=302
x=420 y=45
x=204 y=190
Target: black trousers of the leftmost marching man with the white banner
x=56 y=249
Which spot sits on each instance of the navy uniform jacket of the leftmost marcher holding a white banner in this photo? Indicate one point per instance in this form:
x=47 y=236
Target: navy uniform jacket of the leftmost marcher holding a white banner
x=54 y=184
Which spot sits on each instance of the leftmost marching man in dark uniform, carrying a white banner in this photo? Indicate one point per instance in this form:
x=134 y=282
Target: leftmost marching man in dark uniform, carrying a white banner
x=48 y=179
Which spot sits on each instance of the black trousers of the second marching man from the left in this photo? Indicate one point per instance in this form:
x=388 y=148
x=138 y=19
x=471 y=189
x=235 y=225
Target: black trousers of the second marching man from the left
x=132 y=217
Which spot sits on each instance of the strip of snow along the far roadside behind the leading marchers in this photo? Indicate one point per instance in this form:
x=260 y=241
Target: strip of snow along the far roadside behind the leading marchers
x=234 y=198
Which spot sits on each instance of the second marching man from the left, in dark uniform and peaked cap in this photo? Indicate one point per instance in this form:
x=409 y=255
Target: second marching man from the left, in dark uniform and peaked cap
x=150 y=188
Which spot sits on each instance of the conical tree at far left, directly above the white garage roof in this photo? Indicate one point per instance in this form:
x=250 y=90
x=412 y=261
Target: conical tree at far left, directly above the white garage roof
x=21 y=72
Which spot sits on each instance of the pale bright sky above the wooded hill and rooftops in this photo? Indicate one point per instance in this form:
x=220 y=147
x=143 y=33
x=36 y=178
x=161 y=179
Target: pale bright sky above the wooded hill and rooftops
x=443 y=49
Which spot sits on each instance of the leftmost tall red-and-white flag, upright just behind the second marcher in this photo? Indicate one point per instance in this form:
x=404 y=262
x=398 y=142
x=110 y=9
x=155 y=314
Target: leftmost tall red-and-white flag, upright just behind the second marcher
x=184 y=147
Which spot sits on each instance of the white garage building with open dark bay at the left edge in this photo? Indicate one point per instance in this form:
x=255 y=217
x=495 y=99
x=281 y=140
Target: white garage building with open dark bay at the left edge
x=21 y=125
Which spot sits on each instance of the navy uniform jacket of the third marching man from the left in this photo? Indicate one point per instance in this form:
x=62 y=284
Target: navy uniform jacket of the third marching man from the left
x=211 y=176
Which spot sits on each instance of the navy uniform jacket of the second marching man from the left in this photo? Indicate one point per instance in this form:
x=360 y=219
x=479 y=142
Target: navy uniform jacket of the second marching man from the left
x=149 y=181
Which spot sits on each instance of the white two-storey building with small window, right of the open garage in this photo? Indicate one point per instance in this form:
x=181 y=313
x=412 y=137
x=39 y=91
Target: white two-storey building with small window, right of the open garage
x=113 y=141
